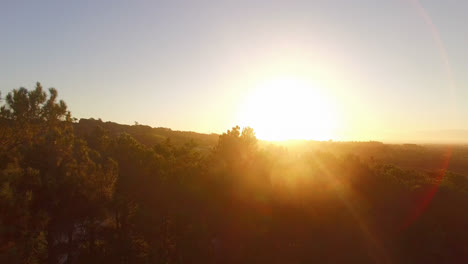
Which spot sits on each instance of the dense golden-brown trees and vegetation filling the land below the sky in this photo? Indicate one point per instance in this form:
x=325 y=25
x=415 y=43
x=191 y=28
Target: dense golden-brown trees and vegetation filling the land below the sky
x=95 y=192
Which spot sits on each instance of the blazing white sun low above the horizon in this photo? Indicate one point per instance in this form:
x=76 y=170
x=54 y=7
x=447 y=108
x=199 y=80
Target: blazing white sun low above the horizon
x=288 y=108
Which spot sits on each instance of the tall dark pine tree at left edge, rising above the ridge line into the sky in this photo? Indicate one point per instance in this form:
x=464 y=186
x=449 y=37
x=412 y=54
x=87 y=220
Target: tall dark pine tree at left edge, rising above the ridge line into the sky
x=51 y=180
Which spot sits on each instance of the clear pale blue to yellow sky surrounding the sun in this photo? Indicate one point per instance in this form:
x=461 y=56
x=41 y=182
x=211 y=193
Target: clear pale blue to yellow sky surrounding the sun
x=386 y=68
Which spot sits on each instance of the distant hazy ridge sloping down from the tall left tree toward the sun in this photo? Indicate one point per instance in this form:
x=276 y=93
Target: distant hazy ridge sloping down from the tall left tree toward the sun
x=147 y=135
